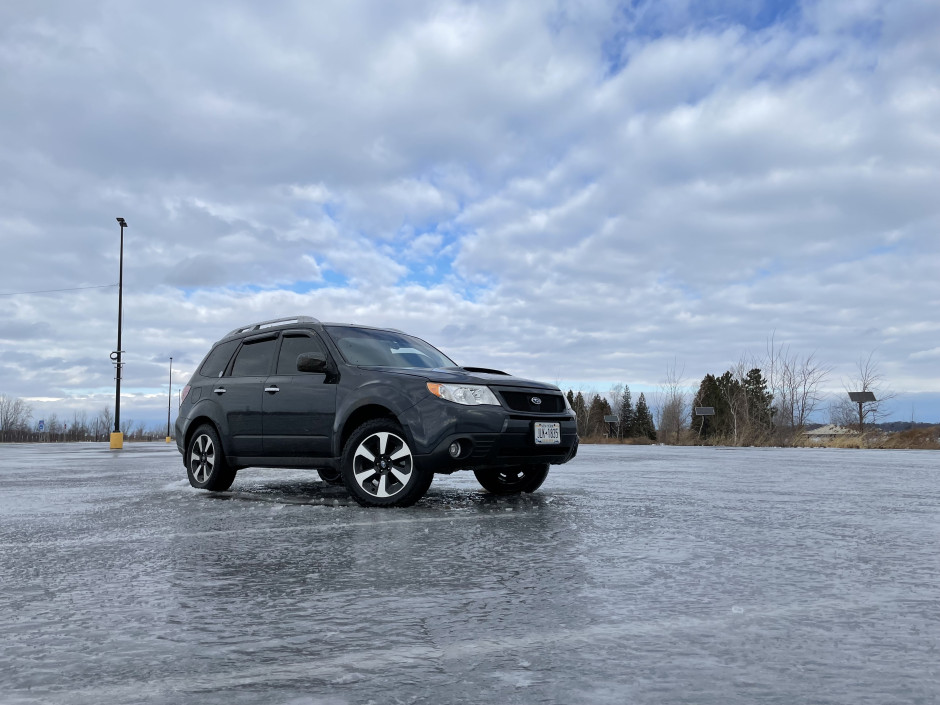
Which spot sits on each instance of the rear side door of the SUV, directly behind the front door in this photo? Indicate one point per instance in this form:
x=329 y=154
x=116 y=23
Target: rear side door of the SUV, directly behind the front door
x=240 y=394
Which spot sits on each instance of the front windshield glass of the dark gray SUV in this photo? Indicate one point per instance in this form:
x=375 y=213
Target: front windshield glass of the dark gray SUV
x=385 y=348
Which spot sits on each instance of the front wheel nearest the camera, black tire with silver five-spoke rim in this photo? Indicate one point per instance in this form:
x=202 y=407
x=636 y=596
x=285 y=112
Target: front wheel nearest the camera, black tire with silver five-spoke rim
x=378 y=467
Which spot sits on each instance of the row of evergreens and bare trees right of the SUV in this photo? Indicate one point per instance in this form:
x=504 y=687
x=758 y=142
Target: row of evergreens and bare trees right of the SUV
x=769 y=399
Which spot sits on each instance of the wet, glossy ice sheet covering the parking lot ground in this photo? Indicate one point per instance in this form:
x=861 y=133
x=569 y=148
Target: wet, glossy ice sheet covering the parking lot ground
x=635 y=575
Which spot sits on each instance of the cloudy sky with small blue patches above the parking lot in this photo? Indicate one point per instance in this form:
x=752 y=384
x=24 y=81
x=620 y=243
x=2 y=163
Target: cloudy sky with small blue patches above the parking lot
x=583 y=192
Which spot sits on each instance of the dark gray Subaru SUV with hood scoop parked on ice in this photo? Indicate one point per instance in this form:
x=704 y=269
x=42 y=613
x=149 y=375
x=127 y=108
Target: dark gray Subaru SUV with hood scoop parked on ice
x=373 y=409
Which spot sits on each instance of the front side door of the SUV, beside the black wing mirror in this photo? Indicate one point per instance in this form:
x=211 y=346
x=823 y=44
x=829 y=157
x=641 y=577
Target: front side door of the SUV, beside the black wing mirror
x=299 y=407
